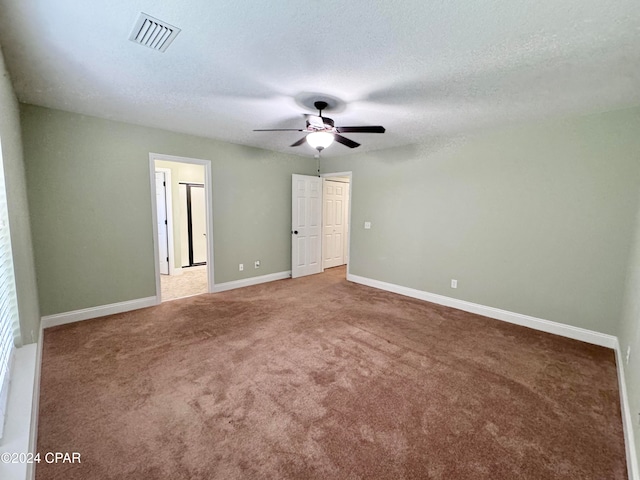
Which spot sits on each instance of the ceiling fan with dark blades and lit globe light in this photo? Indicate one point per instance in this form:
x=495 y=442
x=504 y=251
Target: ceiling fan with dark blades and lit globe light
x=321 y=131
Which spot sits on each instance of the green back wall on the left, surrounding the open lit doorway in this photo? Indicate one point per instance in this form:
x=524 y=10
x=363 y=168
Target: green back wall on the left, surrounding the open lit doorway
x=90 y=202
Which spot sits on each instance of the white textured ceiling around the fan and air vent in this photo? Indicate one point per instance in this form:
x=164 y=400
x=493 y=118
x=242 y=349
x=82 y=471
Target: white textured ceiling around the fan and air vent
x=421 y=68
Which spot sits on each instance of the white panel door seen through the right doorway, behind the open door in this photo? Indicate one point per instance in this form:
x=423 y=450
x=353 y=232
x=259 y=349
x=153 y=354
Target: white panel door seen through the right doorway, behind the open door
x=334 y=225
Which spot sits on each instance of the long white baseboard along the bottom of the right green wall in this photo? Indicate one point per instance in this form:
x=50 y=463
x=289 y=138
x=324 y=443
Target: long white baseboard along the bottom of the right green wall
x=548 y=326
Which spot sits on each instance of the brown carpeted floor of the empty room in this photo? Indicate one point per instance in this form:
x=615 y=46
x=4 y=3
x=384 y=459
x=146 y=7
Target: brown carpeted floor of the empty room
x=318 y=378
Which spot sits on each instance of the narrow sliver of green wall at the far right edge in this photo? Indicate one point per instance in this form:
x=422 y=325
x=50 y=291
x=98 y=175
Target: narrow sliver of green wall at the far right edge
x=629 y=333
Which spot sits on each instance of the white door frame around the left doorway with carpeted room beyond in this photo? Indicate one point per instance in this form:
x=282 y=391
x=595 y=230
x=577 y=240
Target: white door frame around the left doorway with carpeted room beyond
x=209 y=208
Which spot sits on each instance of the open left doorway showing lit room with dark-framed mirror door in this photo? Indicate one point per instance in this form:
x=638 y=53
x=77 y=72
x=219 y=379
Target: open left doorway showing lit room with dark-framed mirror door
x=182 y=226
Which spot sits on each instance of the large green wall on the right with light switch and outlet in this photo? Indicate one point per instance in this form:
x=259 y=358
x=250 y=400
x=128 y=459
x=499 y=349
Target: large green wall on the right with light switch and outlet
x=536 y=219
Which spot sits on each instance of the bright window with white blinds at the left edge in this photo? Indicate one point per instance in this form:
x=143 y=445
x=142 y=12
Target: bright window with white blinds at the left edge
x=9 y=326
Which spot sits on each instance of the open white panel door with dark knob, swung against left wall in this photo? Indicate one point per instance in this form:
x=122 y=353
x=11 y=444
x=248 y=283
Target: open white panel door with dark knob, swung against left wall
x=306 y=209
